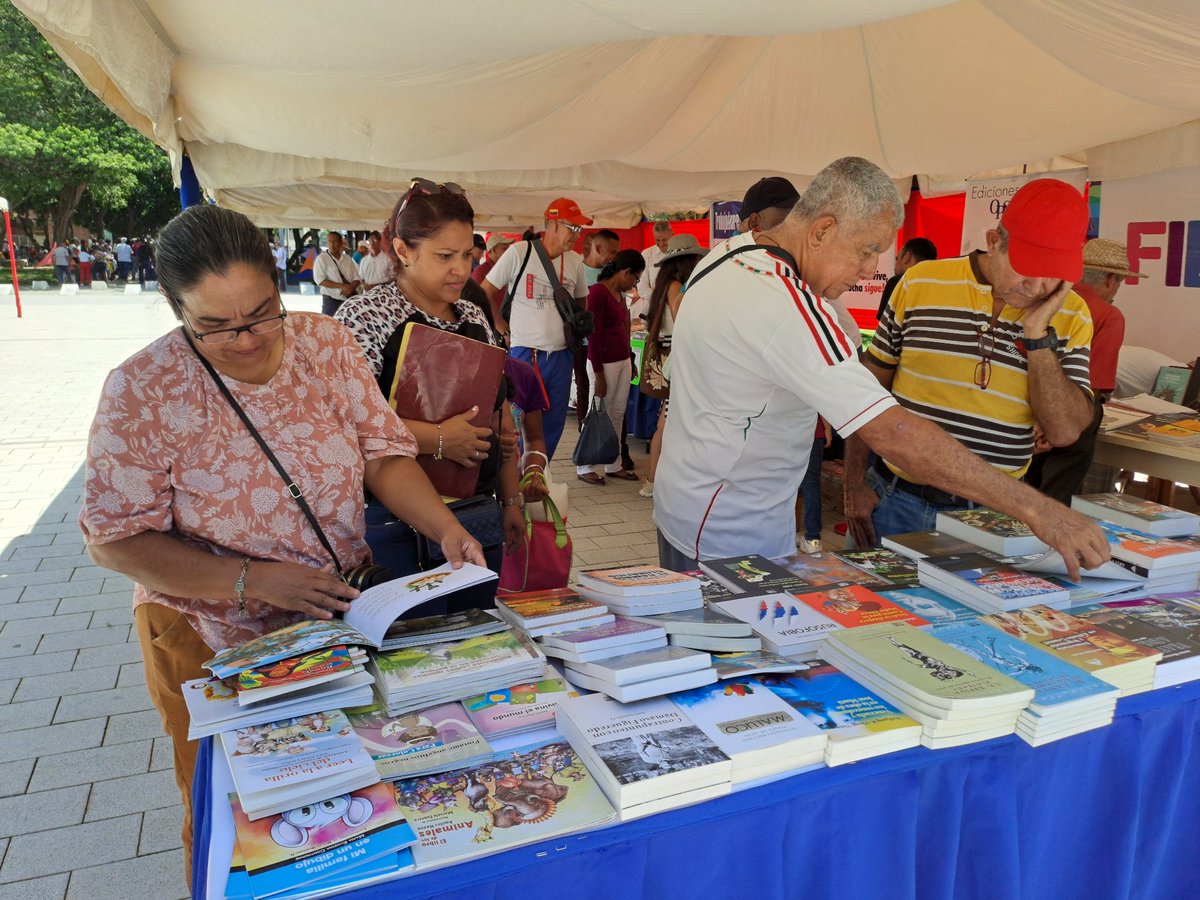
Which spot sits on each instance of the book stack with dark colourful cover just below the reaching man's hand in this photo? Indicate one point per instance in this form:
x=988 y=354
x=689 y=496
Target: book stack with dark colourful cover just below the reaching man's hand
x=985 y=584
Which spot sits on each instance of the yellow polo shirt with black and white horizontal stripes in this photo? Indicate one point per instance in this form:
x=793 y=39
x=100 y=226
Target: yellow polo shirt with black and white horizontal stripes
x=931 y=335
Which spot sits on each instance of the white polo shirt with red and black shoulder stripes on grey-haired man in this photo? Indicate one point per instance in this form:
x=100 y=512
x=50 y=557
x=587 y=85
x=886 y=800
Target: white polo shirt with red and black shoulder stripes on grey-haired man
x=754 y=358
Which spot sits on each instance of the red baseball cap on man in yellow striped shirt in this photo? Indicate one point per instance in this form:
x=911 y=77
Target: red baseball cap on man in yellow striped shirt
x=1047 y=225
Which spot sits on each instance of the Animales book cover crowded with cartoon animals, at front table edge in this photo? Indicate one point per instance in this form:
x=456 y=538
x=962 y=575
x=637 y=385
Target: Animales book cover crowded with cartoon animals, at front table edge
x=519 y=797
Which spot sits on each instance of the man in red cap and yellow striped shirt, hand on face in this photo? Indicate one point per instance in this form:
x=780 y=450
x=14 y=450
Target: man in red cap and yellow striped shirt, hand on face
x=974 y=345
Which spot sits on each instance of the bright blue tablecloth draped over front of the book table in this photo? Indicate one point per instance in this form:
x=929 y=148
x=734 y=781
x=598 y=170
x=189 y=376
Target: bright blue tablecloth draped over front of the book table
x=1108 y=814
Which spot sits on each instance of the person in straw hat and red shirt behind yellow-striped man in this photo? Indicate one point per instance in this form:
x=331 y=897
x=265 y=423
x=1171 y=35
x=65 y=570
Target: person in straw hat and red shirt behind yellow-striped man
x=1059 y=472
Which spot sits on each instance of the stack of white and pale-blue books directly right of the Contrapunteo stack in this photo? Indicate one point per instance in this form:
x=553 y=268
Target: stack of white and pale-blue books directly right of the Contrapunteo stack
x=761 y=734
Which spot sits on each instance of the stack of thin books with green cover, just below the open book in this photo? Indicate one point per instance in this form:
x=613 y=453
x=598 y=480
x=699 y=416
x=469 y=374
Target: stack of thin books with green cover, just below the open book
x=428 y=675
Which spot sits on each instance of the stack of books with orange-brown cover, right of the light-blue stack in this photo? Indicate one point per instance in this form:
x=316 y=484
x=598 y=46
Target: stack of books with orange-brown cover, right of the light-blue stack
x=1105 y=655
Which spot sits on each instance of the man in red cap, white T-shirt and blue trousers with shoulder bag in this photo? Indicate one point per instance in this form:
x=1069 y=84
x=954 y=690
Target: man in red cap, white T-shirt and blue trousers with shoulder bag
x=537 y=333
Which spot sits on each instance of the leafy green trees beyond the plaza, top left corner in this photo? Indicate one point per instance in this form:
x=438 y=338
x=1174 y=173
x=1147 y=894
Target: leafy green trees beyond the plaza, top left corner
x=64 y=155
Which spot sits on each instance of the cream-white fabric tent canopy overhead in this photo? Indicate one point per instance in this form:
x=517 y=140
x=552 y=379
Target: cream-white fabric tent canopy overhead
x=301 y=112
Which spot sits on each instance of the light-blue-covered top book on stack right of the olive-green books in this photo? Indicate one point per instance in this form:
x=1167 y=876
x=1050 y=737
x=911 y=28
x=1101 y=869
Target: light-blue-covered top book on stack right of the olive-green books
x=1054 y=681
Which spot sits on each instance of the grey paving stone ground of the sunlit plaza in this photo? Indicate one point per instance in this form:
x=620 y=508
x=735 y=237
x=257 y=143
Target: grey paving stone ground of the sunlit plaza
x=88 y=806
